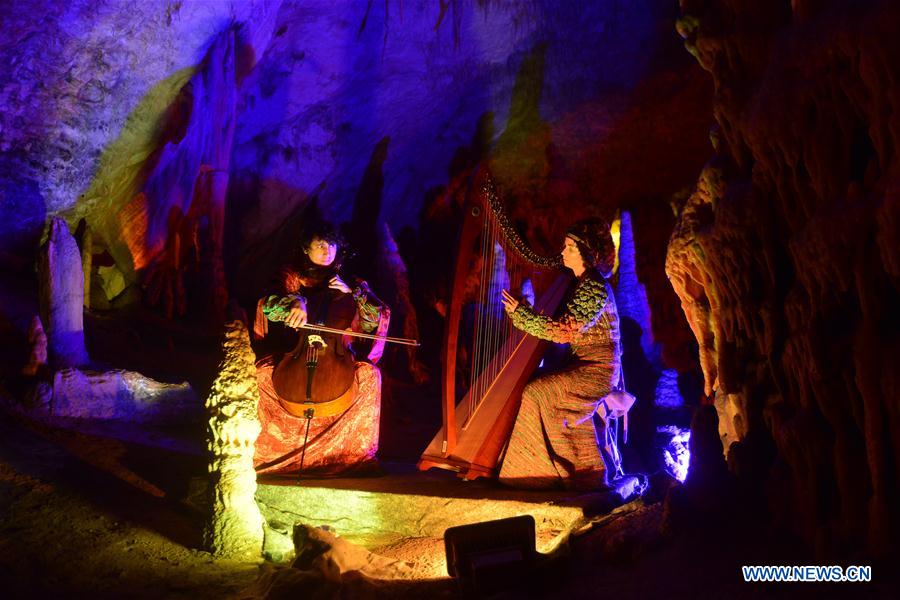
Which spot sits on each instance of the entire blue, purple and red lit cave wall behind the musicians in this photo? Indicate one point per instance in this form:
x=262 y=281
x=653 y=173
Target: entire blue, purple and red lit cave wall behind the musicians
x=150 y=122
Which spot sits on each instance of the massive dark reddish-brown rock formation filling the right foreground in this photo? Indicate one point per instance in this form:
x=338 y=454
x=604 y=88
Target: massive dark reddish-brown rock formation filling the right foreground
x=786 y=259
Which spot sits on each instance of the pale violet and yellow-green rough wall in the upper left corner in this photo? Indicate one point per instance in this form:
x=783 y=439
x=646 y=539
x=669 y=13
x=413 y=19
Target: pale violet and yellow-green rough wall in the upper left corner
x=86 y=86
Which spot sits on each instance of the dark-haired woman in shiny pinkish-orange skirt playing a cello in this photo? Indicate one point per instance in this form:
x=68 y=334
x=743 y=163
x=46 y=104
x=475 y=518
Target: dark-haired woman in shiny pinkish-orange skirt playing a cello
x=341 y=433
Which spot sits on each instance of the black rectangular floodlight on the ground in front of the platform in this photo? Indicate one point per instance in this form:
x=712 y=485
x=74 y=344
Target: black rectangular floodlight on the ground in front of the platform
x=491 y=554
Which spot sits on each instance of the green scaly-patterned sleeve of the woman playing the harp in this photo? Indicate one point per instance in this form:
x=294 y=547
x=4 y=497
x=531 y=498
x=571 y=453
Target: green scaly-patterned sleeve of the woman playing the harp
x=582 y=312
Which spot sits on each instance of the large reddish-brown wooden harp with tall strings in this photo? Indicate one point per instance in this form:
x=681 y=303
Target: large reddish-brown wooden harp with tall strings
x=486 y=361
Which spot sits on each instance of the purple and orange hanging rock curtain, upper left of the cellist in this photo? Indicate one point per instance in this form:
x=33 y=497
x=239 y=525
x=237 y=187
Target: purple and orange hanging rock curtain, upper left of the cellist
x=177 y=219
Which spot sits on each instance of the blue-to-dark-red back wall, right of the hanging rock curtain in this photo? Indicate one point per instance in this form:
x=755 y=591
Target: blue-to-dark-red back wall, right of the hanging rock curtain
x=378 y=108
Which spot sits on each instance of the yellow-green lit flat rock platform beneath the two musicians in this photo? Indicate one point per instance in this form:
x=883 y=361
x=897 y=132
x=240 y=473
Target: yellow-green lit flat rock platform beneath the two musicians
x=403 y=515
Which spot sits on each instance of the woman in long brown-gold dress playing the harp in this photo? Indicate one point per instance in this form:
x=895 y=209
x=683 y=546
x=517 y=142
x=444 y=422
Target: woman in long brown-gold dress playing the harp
x=554 y=442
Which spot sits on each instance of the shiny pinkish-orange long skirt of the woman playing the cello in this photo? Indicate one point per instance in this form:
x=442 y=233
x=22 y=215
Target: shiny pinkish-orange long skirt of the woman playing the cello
x=343 y=444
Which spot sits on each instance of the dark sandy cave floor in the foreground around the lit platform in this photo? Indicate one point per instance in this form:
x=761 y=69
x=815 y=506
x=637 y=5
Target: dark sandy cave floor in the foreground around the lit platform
x=85 y=514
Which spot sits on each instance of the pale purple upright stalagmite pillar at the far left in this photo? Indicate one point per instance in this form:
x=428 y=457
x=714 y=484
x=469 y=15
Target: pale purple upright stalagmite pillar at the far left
x=62 y=297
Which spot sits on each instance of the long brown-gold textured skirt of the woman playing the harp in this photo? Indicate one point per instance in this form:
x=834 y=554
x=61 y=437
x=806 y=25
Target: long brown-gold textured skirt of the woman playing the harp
x=555 y=442
